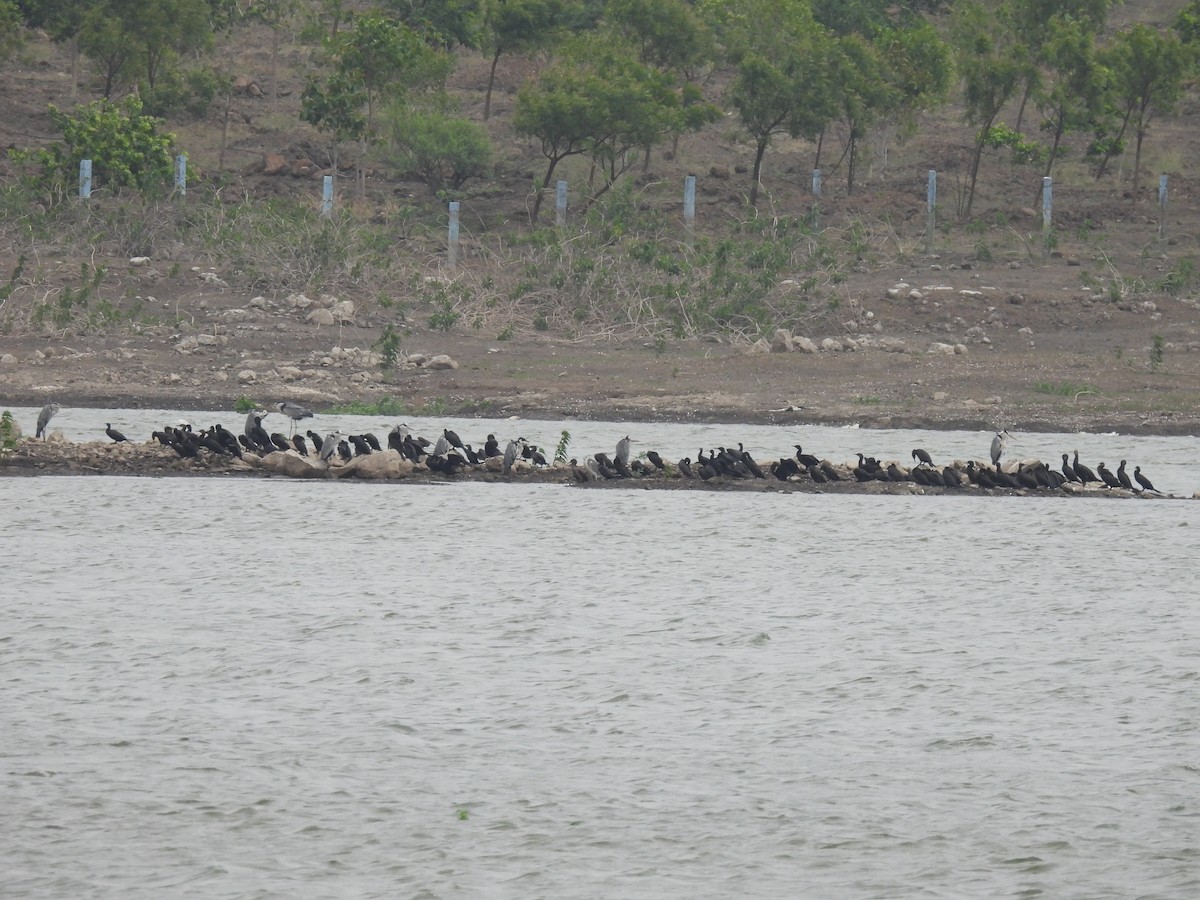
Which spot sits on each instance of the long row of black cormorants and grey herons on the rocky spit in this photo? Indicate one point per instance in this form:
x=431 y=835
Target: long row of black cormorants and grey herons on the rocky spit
x=449 y=455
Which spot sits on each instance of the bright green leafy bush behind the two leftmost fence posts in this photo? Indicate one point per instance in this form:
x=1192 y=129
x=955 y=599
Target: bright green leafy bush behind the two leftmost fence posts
x=125 y=148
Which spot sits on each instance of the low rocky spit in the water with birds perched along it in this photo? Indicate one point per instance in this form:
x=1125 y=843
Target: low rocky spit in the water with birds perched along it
x=57 y=457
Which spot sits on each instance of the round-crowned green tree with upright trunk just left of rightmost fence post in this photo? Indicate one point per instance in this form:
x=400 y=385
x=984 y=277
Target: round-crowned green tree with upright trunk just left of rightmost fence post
x=1148 y=79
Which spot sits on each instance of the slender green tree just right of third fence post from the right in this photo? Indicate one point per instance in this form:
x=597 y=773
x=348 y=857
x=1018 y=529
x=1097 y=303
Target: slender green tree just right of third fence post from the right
x=991 y=70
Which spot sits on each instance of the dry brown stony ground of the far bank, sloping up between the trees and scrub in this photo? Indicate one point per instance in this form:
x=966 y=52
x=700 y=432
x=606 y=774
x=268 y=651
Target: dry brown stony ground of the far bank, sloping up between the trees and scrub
x=1100 y=333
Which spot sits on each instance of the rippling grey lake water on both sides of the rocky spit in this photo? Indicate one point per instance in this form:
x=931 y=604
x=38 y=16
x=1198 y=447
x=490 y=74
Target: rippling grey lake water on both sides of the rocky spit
x=265 y=688
